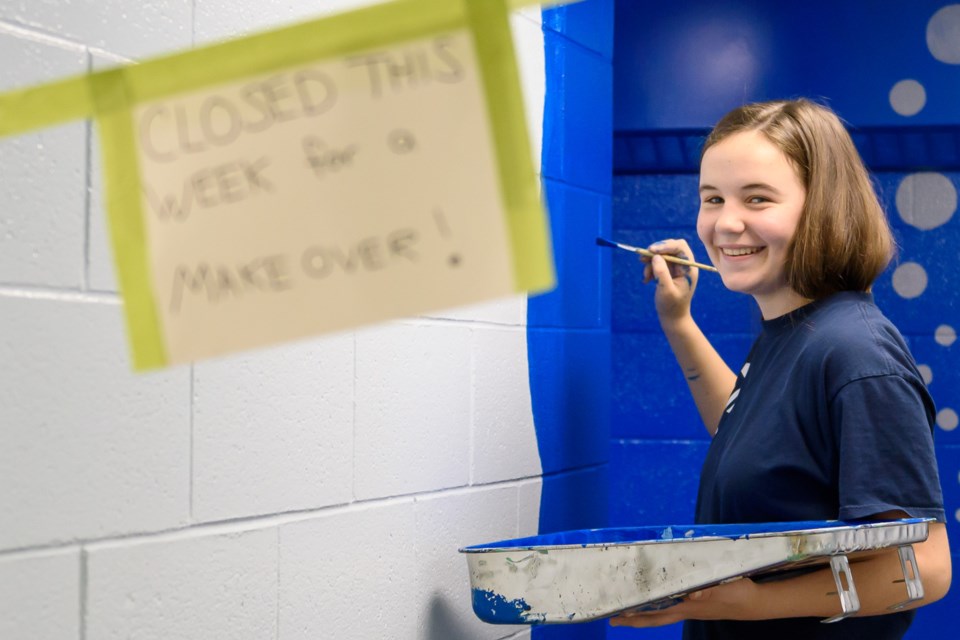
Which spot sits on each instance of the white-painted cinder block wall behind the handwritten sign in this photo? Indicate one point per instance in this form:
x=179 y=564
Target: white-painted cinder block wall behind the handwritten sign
x=312 y=491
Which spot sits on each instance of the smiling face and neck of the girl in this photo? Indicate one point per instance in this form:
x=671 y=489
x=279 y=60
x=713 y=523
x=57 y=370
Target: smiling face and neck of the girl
x=750 y=203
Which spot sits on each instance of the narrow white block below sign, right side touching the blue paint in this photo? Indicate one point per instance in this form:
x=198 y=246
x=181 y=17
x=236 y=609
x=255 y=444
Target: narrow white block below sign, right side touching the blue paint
x=504 y=439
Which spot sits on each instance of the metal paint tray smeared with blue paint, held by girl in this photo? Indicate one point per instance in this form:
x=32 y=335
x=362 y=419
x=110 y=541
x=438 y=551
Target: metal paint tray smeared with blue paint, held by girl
x=577 y=576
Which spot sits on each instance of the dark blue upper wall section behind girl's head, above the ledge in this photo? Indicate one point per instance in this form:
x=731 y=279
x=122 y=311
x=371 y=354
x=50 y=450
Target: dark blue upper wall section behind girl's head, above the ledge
x=683 y=64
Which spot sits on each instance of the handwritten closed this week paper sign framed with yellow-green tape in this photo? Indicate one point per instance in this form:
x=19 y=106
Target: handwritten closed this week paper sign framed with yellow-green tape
x=382 y=174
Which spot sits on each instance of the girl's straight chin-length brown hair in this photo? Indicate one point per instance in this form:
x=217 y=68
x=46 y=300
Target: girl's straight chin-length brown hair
x=843 y=240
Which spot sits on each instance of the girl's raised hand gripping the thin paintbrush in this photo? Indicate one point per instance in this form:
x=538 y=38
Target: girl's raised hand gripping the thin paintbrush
x=675 y=282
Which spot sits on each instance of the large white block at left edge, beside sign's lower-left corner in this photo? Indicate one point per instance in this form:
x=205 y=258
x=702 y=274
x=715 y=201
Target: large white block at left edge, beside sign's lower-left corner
x=87 y=449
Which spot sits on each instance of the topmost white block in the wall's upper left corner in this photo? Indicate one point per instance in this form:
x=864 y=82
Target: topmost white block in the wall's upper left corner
x=133 y=31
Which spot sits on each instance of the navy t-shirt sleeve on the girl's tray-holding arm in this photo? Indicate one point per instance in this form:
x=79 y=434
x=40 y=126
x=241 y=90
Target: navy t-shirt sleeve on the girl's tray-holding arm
x=886 y=454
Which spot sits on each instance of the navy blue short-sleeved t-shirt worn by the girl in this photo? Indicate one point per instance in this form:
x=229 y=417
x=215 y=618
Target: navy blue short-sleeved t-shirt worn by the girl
x=829 y=419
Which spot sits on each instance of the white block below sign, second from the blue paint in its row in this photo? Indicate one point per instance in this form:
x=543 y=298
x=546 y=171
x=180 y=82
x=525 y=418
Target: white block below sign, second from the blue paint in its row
x=412 y=409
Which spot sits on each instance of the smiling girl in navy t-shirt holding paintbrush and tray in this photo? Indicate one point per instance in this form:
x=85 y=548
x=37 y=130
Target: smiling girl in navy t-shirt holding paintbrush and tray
x=829 y=417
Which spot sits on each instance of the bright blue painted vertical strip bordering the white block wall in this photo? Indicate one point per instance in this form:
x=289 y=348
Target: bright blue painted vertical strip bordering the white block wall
x=568 y=334
